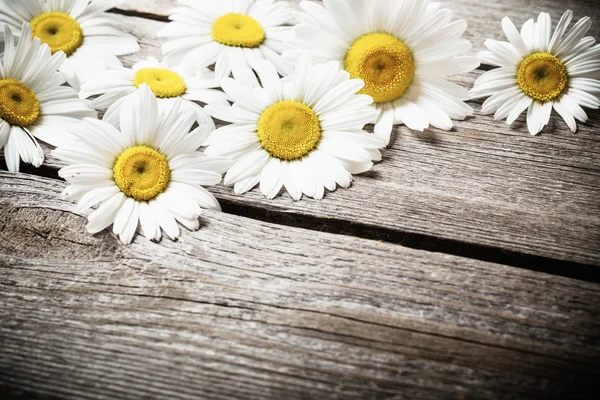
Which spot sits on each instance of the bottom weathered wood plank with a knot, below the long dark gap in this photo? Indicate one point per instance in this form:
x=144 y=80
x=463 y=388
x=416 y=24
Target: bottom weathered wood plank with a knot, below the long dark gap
x=244 y=309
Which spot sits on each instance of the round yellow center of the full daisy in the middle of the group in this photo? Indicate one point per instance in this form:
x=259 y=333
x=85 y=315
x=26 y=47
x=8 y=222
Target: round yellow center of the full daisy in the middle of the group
x=289 y=130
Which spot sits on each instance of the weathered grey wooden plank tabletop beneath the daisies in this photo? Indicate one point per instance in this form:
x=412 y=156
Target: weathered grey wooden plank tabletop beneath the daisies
x=463 y=266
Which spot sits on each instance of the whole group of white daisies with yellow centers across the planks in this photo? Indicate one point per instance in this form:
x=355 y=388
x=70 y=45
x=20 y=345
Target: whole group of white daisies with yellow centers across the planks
x=295 y=90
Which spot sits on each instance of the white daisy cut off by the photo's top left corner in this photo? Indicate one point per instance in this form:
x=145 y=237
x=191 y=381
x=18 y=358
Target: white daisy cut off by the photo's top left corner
x=80 y=28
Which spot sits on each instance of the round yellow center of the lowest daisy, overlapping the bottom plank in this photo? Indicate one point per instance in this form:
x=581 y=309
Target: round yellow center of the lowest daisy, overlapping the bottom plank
x=142 y=173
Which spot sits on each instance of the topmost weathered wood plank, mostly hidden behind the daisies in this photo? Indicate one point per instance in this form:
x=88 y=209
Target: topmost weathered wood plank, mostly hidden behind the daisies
x=483 y=17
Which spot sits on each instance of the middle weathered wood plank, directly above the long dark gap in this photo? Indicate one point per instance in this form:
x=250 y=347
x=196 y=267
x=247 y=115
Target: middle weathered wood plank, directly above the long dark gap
x=483 y=183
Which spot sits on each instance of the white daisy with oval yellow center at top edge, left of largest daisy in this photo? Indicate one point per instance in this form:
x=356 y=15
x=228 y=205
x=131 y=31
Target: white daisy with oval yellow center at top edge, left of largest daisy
x=227 y=33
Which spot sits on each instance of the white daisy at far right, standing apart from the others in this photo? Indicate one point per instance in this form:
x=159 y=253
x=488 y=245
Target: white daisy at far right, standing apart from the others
x=540 y=70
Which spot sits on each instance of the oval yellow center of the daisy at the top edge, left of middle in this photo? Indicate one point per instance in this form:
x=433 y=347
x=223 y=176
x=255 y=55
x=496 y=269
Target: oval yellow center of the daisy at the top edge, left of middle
x=238 y=30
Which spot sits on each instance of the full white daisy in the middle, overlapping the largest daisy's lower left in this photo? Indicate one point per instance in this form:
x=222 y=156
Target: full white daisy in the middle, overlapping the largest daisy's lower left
x=303 y=132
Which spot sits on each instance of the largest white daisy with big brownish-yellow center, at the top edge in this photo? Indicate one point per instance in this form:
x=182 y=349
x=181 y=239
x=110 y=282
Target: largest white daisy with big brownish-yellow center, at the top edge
x=403 y=50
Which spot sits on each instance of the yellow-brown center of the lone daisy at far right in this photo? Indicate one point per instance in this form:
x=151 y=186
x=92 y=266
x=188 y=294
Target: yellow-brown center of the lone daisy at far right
x=542 y=76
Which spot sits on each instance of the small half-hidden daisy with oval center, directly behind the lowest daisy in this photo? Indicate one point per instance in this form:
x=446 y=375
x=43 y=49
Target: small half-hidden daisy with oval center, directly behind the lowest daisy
x=117 y=84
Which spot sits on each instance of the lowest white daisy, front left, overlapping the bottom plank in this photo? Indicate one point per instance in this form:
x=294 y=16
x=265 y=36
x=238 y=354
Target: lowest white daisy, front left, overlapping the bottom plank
x=148 y=173
